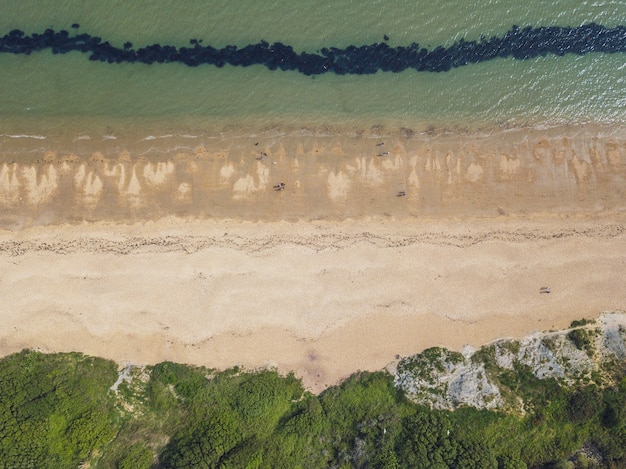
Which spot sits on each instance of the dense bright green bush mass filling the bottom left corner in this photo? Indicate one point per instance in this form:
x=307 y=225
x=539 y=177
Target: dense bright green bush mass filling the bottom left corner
x=54 y=409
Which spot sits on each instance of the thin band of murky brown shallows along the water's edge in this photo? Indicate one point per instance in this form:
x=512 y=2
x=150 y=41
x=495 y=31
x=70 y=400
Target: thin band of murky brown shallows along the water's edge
x=88 y=135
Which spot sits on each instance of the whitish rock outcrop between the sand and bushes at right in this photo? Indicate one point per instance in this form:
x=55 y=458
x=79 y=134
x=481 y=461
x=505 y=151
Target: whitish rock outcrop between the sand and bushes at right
x=443 y=379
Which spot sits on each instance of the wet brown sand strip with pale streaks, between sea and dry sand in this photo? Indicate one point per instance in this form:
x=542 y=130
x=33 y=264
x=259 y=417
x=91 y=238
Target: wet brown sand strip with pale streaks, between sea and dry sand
x=397 y=175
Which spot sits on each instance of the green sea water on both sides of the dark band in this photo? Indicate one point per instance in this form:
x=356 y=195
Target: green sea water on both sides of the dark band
x=46 y=94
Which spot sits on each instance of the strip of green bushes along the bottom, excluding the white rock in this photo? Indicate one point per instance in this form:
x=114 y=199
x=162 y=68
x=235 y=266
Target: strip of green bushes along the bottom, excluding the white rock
x=59 y=411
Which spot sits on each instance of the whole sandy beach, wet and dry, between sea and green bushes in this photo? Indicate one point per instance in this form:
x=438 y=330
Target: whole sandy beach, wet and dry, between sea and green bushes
x=191 y=256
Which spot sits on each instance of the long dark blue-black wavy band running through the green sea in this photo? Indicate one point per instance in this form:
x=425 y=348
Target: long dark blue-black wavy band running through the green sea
x=518 y=43
